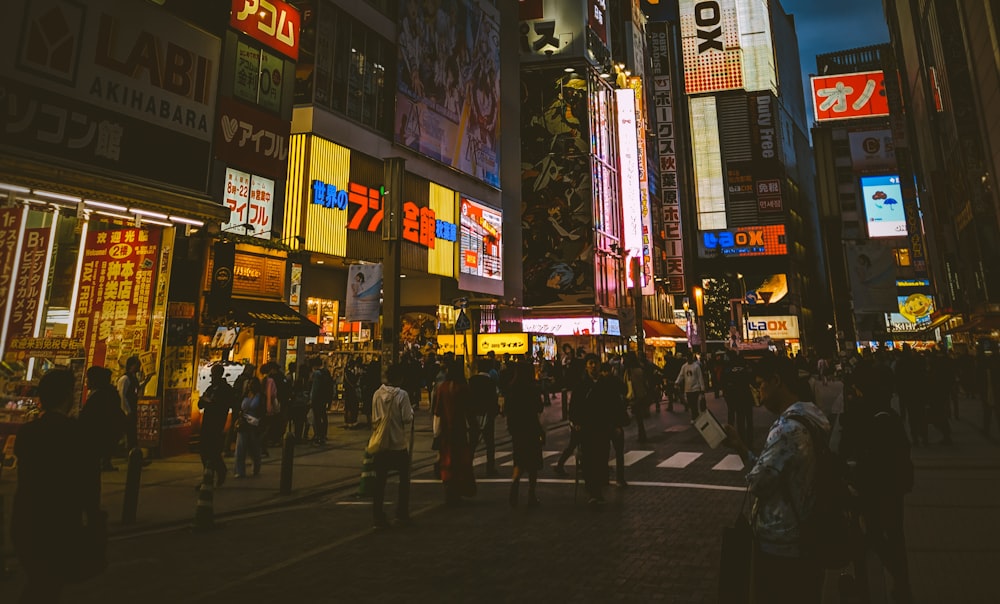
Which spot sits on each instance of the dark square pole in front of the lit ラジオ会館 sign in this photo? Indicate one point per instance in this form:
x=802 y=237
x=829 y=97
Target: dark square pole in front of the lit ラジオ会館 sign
x=392 y=220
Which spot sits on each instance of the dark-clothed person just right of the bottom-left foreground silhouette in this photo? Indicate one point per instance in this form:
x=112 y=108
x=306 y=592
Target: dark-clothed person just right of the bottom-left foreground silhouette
x=102 y=418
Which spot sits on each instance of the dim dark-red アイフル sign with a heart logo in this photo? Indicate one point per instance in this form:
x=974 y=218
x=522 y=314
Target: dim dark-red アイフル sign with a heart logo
x=251 y=139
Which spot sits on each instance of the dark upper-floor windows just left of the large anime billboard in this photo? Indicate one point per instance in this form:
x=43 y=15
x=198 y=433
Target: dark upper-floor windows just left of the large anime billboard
x=353 y=70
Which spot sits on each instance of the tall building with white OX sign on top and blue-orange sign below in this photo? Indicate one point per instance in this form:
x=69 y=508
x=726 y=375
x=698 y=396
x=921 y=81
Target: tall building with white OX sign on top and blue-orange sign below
x=754 y=215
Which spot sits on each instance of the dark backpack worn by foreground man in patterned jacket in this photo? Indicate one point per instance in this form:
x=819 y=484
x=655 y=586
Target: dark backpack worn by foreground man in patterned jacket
x=826 y=533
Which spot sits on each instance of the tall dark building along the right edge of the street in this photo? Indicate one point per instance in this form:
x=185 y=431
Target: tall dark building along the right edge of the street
x=946 y=54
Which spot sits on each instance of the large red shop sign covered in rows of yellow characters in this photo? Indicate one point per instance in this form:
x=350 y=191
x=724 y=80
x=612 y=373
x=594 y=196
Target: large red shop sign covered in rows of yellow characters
x=116 y=294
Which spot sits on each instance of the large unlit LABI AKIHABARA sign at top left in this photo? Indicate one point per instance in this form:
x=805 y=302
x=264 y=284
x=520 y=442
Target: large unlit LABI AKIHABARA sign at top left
x=130 y=57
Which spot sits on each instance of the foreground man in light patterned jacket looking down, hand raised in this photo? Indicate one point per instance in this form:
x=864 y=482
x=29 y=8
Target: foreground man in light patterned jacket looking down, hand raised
x=784 y=478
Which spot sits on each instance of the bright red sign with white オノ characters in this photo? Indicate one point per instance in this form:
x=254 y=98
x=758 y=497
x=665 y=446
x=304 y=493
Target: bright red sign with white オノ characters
x=848 y=96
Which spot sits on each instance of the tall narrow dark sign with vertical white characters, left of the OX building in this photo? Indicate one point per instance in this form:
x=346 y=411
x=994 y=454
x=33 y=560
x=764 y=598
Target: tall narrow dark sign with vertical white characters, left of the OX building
x=663 y=111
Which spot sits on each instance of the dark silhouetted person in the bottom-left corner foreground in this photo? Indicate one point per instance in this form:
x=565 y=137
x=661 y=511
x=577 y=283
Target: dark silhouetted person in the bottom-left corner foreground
x=58 y=485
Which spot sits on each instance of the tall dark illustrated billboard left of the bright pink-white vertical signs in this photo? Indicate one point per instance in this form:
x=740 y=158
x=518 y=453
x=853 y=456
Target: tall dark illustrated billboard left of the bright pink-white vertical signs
x=556 y=176
